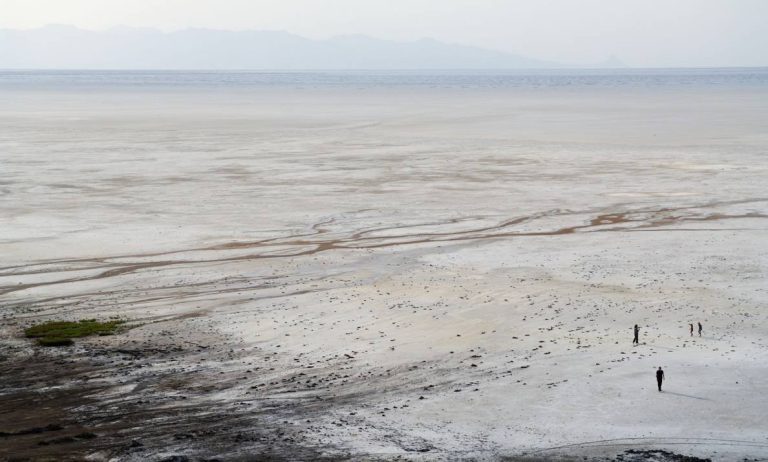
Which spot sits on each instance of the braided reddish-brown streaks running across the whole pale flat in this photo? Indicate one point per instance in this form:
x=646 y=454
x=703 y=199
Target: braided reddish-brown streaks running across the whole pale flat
x=643 y=219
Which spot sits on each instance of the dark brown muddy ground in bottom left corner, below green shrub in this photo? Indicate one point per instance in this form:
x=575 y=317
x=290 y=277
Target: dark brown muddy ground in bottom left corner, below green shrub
x=137 y=403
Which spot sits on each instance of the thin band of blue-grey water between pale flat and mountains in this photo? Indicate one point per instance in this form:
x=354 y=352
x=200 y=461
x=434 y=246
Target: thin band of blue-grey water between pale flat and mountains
x=596 y=79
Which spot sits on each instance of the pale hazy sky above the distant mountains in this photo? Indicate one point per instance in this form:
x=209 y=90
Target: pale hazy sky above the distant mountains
x=640 y=32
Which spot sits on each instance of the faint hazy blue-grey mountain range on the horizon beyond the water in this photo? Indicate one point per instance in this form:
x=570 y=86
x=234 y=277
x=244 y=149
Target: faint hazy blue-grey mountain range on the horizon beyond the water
x=67 y=47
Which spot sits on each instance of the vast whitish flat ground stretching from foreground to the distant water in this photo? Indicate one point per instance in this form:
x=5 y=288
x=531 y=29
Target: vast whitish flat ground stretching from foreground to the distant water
x=381 y=274
